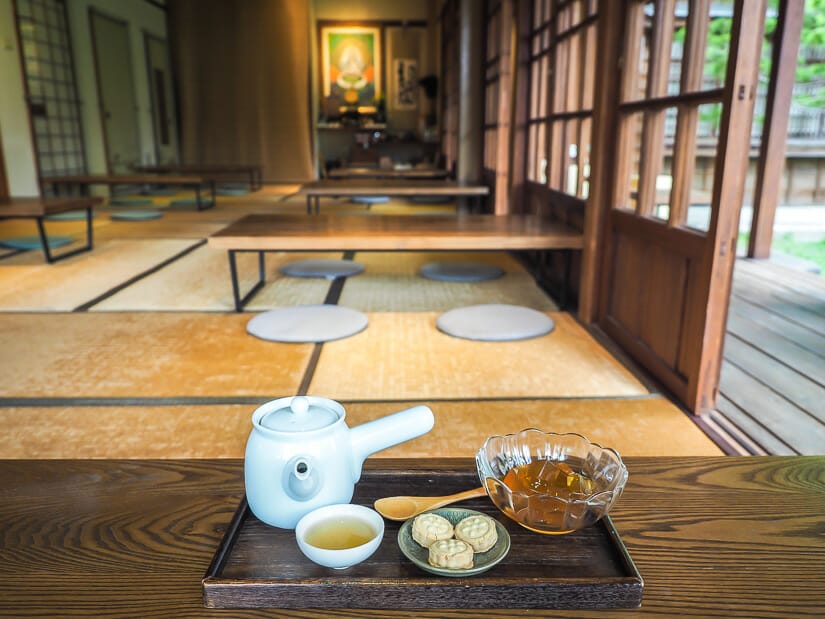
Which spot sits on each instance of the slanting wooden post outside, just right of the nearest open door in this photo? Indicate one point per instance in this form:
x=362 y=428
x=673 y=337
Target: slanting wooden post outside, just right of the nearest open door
x=771 y=162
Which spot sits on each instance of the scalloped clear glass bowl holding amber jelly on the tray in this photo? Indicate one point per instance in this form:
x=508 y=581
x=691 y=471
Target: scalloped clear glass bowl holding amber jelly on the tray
x=550 y=483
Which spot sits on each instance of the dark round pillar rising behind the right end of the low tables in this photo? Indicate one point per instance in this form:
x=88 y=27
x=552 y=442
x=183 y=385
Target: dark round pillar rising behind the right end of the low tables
x=471 y=92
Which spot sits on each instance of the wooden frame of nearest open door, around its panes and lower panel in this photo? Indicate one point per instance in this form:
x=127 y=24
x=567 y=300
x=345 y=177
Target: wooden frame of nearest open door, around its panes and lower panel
x=705 y=301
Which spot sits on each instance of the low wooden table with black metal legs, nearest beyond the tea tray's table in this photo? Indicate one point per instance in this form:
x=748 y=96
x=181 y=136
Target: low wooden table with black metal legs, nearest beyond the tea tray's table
x=263 y=233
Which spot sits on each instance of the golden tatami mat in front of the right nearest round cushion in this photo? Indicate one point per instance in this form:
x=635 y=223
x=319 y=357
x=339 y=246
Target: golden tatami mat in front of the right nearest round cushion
x=404 y=356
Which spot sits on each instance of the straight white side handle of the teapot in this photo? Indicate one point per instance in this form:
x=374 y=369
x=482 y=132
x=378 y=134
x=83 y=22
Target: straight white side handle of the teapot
x=385 y=432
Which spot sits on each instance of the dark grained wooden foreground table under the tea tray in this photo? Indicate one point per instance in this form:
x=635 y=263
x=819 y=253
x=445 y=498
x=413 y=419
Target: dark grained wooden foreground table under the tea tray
x=712 y=537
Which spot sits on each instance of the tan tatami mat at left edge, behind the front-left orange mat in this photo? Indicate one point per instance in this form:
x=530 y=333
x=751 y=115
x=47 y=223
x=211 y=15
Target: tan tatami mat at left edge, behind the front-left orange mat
x=28 y=283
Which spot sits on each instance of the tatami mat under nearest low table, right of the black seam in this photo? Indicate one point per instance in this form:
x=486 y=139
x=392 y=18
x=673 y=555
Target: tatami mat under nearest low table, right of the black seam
x=391 y=284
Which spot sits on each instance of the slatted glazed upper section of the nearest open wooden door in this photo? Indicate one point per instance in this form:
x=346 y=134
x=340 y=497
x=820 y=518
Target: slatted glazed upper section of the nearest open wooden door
x=669 y=113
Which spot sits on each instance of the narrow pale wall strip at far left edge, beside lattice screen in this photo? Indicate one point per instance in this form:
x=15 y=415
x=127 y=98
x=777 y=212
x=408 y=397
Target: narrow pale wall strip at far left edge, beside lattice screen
x=18 y=150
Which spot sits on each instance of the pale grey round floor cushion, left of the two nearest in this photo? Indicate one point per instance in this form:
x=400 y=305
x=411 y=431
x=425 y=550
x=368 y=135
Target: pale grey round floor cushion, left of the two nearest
x=307 y=323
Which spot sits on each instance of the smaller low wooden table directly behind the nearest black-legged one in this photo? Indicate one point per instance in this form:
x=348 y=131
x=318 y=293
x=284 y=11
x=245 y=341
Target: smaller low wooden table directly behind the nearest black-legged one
x=389 y=187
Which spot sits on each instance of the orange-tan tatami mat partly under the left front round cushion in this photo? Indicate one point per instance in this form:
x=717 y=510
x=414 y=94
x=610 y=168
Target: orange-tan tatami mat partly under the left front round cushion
x=143 y=355
